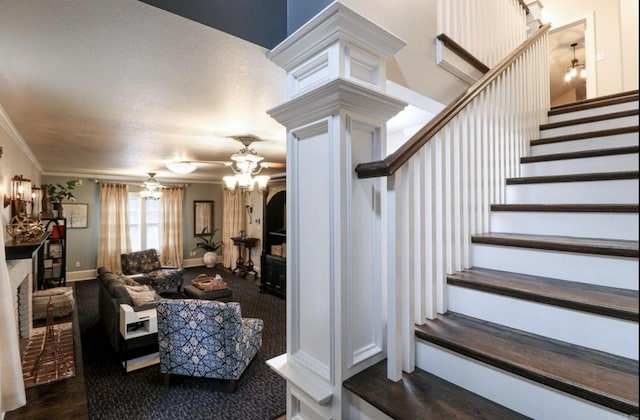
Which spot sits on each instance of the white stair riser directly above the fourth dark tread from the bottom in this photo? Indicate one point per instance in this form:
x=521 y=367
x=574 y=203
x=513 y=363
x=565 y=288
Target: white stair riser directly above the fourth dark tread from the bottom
x=586 y=225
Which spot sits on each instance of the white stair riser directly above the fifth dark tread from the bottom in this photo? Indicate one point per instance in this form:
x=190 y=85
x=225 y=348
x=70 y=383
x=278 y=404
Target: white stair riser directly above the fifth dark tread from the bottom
x=623 y=191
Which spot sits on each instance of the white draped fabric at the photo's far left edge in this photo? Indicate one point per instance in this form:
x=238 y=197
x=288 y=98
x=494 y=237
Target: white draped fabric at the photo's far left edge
x=12 y=394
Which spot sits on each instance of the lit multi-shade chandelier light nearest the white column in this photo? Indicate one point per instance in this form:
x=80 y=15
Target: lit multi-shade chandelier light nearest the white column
x=246 y=164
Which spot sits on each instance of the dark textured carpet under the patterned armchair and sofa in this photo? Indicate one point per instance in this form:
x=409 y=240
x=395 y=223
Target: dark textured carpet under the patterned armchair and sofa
x=141 y=394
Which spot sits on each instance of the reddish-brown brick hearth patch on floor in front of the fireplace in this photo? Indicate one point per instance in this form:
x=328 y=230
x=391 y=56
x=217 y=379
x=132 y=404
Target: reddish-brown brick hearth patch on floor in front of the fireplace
x=49 y=358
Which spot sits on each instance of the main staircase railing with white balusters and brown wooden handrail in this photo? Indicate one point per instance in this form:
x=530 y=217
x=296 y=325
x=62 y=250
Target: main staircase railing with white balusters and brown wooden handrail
x=442 y=182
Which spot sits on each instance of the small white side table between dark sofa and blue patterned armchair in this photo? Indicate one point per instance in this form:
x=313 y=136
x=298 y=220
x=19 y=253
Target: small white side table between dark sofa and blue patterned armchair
x=135 y=325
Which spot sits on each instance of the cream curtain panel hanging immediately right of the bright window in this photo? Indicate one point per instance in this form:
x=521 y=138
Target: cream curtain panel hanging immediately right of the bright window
x=171 y=231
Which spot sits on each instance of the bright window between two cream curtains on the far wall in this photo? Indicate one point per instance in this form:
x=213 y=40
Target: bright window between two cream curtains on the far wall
x=144 y=223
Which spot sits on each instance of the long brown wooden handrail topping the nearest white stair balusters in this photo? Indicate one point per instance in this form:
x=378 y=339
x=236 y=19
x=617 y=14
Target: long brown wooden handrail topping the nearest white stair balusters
x=389 y=165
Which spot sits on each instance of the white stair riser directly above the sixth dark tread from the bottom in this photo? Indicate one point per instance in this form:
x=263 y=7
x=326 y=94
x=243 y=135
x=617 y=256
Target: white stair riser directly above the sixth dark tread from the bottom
x=626 y=162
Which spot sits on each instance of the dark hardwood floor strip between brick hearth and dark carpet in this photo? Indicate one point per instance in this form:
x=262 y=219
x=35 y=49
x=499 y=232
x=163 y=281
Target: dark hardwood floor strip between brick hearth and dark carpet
x=66 y=398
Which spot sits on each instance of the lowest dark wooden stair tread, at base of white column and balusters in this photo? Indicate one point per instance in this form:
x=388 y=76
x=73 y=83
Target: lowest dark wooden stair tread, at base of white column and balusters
x=422 y=395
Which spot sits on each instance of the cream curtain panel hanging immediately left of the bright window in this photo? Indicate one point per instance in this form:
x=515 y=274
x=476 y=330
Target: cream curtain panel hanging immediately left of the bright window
x=114 y=237
